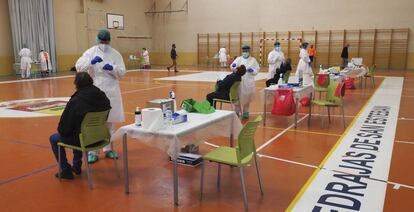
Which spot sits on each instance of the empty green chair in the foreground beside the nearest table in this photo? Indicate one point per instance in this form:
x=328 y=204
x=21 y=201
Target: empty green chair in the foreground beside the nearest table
x=240 y=156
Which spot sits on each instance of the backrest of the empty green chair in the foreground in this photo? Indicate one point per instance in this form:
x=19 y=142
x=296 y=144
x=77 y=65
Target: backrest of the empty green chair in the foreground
x=246 y=146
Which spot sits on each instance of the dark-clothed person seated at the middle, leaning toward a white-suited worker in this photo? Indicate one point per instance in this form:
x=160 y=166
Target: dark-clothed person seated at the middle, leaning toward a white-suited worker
x=223 y=86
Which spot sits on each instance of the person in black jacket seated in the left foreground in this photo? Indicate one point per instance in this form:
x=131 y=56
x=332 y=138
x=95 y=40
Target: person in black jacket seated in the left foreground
x=87 y=98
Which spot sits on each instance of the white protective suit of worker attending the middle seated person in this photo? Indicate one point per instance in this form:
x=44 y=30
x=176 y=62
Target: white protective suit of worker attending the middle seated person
x=247 y=86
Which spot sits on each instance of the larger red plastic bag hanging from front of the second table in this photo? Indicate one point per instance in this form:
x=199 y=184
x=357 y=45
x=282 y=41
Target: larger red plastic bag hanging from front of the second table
x=284 y=104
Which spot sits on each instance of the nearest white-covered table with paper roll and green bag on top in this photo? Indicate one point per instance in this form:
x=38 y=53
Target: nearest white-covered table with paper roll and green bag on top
x=196 y=130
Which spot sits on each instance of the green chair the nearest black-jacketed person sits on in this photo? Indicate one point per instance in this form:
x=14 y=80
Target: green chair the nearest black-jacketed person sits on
x=94 y=136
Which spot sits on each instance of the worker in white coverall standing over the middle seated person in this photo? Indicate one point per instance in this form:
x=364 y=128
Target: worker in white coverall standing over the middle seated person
x=247 y=86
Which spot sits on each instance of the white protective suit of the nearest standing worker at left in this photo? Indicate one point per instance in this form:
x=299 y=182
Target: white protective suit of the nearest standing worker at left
x=107 y=81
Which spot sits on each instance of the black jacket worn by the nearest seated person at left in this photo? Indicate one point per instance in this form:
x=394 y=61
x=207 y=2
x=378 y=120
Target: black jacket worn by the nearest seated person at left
x=89 y=99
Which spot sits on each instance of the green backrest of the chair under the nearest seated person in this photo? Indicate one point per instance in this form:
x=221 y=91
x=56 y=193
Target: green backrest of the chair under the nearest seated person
x=94 y=128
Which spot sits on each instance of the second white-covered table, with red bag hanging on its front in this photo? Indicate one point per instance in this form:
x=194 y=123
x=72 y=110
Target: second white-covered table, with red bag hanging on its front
x=299 y=92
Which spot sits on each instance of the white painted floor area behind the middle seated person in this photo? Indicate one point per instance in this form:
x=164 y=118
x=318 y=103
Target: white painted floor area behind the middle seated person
x=207 y=76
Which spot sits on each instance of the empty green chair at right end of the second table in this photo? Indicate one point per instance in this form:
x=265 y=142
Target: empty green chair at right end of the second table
x=331 y=100
